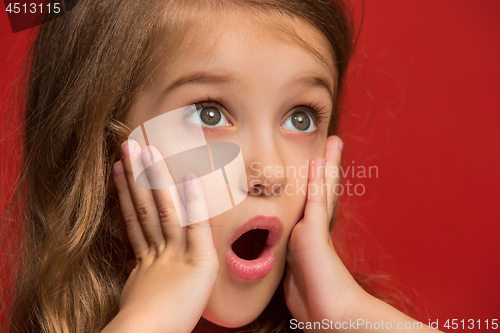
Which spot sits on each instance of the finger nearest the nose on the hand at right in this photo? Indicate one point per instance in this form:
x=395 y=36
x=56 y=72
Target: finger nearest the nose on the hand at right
x=315 y=212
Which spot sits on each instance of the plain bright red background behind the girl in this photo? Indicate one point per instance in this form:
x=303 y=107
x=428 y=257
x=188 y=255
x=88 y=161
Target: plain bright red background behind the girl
x=423 y=108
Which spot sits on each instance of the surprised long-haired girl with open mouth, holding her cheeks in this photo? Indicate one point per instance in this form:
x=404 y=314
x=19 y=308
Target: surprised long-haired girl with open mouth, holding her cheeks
x=104 y=254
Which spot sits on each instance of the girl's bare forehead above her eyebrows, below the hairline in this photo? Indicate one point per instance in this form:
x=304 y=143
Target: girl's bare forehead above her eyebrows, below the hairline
x=241 y=40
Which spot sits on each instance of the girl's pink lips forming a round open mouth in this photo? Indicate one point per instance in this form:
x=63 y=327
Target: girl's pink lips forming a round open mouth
x=260 y=267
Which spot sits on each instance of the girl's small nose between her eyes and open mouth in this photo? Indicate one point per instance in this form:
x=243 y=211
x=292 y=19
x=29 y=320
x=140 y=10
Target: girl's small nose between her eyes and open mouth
x=266 y=170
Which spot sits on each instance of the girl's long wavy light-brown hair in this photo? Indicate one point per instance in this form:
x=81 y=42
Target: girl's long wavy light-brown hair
x=85 y=69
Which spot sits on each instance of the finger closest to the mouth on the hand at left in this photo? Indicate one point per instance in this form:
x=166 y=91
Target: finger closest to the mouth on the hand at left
x=198 y=233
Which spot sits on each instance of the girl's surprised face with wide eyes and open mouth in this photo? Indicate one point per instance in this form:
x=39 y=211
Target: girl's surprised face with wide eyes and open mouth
x=274 y=99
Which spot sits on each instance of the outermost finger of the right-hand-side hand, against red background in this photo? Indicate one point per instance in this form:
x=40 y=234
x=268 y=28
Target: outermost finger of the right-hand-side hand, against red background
x=333 y=156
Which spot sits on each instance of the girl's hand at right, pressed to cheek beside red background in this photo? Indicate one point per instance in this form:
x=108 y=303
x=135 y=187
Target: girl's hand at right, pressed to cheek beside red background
x=317 y=284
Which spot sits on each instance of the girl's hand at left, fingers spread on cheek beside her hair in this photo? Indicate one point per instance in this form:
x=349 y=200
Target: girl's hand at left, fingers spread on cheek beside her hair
x=176 y=267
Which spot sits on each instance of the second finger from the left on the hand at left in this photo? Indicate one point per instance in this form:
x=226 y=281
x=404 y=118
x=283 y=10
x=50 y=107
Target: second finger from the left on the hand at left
x=144 y=204
